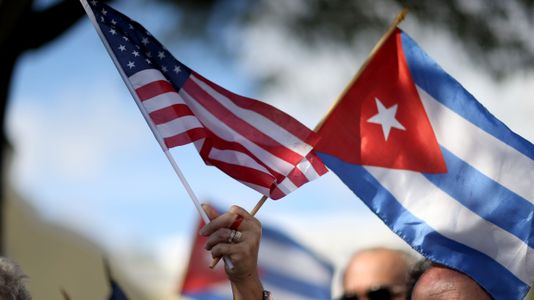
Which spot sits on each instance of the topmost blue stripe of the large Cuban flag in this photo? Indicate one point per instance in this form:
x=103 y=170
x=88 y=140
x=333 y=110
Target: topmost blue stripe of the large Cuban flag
x=429 y=76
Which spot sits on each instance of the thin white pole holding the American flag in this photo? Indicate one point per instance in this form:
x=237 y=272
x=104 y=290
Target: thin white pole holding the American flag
x=164 y=147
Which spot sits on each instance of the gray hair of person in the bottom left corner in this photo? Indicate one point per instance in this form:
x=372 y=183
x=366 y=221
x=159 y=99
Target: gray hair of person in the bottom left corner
x=12 y=278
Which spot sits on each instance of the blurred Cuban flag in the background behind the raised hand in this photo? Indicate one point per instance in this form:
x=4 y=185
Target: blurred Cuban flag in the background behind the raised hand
x=288 y=269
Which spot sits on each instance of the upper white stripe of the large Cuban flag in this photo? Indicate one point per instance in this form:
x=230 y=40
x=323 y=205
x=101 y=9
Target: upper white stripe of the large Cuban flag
x=481 y=150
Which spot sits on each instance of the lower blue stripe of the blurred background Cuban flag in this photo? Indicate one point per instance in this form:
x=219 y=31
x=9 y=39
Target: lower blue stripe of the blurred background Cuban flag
x=293 y=285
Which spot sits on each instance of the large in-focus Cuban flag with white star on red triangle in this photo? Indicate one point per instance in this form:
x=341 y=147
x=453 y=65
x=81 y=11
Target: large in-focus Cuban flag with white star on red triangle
x=439 y=169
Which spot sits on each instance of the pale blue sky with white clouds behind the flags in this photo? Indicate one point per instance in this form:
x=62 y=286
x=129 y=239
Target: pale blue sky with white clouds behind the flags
x=85 y=158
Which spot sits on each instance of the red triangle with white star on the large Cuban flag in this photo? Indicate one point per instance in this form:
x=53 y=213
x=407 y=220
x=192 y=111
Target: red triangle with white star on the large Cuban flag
x=380 y=120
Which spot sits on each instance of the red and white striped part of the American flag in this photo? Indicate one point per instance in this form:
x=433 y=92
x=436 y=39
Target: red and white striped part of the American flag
x=253 y=142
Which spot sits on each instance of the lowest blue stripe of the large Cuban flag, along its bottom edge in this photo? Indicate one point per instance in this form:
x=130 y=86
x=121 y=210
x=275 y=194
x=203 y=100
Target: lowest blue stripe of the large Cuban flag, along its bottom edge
x=487 y=272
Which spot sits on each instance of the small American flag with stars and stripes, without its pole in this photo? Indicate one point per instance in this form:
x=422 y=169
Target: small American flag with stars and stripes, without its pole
x=253 y=142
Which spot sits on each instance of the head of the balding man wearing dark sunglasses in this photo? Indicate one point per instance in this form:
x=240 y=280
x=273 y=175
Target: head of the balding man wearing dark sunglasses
x=377 y=273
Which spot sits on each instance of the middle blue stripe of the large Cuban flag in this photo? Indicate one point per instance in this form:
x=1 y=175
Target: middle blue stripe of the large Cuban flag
x=484 y=196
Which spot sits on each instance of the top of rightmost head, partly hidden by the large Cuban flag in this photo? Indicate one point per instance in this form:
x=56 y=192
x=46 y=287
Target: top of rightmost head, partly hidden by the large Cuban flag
x=439 y=282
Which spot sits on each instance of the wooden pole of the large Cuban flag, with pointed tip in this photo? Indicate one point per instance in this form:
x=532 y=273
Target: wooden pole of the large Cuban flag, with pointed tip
x=400 y=17
